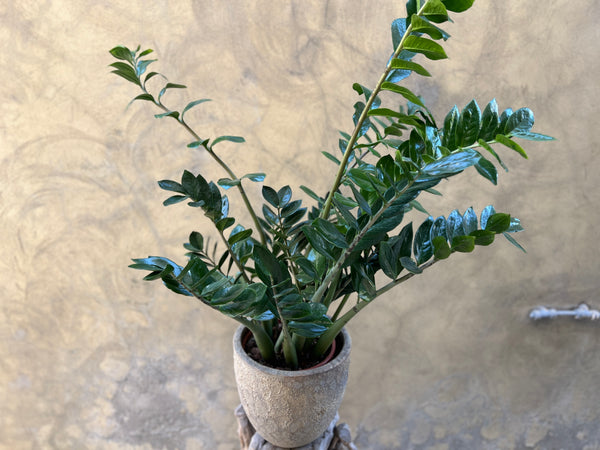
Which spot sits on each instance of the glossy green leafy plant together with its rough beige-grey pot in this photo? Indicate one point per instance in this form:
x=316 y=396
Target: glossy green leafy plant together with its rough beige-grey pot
x=296 y=277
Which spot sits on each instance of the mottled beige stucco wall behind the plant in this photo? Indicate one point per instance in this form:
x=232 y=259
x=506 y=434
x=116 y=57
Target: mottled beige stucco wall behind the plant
x=92 y=357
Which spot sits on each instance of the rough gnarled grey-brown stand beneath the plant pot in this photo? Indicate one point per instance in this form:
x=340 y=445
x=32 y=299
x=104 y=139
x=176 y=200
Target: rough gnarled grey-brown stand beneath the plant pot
x=336 y=437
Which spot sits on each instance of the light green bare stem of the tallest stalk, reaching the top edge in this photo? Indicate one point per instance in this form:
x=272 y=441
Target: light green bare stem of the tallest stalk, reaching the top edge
x=363 y=116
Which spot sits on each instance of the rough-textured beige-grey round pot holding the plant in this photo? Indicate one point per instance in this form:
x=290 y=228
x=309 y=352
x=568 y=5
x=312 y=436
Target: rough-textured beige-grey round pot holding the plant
x=290 y=408
